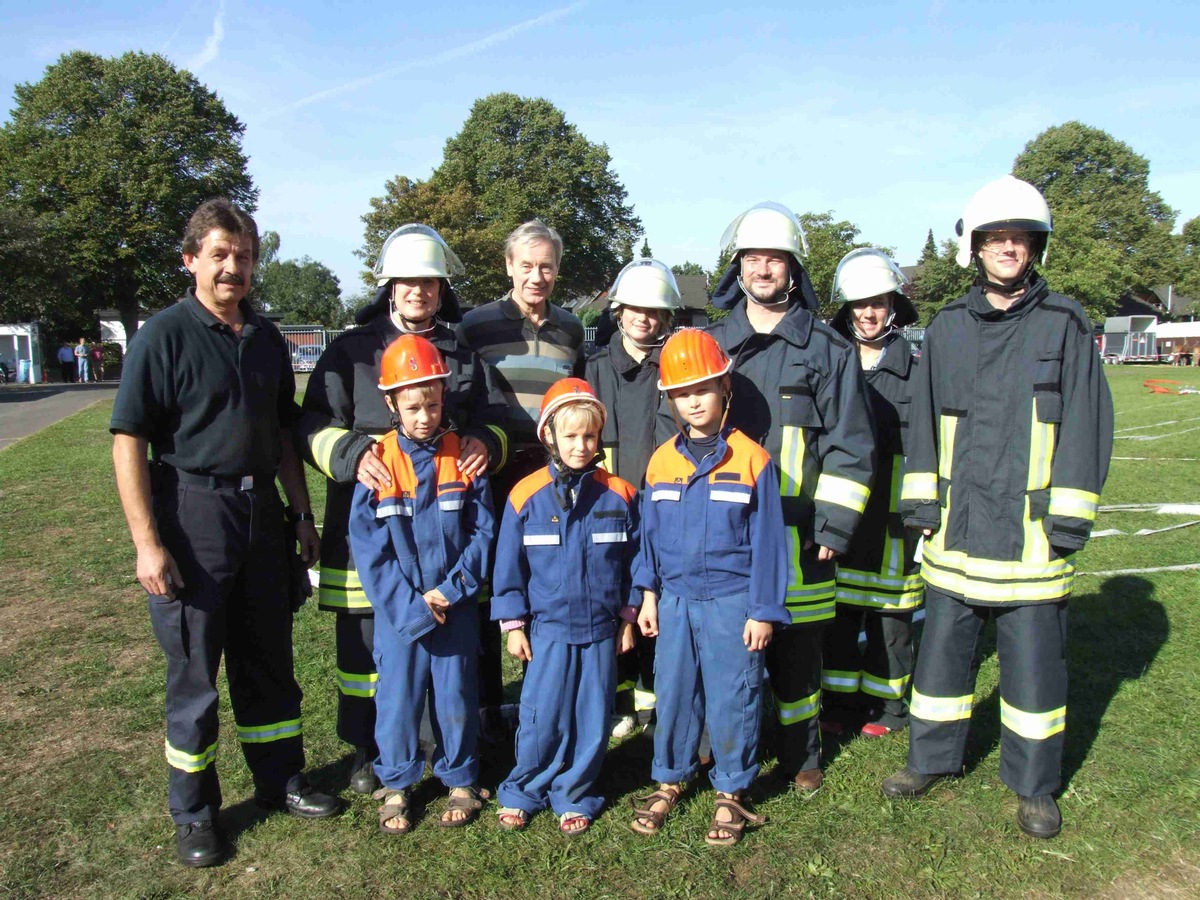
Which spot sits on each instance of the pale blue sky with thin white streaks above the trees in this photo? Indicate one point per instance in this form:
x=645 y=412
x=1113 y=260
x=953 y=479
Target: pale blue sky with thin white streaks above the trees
x=890 y=116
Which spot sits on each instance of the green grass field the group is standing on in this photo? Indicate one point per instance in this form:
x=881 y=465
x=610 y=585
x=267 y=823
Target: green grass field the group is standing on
x=83 y=777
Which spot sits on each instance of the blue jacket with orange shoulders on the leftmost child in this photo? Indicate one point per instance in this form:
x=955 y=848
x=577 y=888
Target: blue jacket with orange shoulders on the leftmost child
x=433 y=529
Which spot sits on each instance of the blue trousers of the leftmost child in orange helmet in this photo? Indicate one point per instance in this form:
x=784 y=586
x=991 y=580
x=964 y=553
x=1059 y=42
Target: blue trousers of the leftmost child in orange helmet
x=445 y=667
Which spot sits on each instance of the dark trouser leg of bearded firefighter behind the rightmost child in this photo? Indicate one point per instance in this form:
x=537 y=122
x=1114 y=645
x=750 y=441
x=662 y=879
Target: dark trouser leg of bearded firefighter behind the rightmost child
x=794 y=663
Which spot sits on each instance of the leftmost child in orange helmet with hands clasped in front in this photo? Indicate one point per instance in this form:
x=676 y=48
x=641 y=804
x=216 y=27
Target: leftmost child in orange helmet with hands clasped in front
x=423 y=548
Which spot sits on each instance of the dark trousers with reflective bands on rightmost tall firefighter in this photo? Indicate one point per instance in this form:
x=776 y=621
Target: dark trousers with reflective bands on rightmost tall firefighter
x=1031 y=644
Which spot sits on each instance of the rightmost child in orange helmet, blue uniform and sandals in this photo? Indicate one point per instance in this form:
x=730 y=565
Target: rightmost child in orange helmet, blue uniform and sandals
x=713 y=568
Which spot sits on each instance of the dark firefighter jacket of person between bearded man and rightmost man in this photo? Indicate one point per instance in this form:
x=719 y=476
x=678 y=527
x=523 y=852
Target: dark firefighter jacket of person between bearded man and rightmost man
x=880 y=572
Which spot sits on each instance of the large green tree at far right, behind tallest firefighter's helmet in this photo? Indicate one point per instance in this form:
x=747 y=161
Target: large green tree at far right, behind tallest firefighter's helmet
x=1112 y=233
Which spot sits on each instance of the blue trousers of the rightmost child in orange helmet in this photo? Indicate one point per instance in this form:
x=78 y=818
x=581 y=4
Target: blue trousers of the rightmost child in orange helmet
x=704 y=673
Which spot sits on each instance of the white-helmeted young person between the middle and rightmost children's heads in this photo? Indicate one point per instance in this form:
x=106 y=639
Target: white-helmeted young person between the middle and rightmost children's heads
x=626 y=374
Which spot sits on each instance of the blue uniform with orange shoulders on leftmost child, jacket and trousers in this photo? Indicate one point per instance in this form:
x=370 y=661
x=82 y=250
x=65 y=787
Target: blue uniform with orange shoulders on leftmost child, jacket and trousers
x=431 y=530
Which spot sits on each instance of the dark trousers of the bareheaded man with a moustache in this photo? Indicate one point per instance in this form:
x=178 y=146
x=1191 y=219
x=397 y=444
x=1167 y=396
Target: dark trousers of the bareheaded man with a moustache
x=231 y=551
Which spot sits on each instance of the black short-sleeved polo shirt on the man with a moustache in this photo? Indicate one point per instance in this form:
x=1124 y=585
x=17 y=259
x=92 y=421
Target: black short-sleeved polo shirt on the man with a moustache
x=208 y=401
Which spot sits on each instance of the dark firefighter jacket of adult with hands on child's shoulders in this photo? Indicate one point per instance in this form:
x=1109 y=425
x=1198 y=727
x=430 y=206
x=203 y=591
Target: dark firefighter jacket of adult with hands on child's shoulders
x=345 y=413
